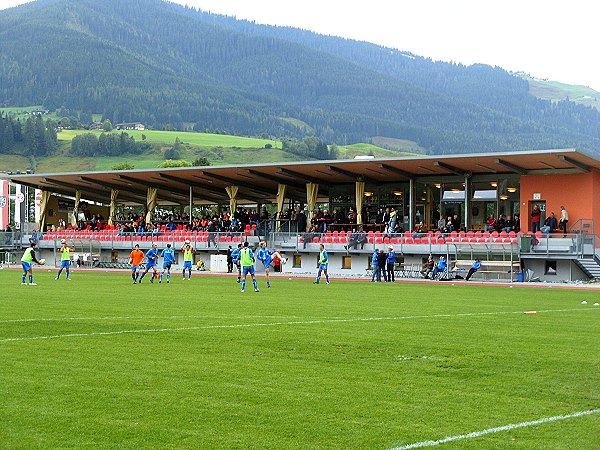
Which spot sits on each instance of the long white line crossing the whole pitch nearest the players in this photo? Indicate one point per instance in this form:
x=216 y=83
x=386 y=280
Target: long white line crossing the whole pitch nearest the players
x=273 y=324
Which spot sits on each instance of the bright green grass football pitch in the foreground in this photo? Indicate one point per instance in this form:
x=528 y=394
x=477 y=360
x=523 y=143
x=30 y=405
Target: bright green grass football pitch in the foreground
x=100 y=363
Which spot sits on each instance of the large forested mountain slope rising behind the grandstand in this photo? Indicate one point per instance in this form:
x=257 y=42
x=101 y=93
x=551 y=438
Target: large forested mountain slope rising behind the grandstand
x=173 y=67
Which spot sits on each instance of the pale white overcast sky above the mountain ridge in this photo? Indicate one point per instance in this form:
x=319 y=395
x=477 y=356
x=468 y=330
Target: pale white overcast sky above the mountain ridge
x=548 y=39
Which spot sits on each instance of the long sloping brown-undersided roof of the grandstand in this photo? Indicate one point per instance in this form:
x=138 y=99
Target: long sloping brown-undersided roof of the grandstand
x=259 y=183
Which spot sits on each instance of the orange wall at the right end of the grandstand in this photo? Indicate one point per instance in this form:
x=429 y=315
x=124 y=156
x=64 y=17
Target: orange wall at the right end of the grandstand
x=578 y=193
